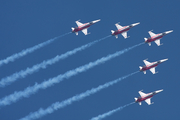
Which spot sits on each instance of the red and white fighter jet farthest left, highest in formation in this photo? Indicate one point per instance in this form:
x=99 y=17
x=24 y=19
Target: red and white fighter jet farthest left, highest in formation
x=83 y=27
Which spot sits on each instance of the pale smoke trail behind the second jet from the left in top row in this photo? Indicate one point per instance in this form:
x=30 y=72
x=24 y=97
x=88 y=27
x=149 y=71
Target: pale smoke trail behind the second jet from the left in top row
x=23 y=73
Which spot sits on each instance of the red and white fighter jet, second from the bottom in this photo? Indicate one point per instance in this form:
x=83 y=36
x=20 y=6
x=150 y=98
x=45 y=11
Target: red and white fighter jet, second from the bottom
x=151 y=66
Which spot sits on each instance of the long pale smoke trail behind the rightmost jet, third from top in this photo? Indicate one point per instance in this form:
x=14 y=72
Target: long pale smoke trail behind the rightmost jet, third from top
x=7 y=100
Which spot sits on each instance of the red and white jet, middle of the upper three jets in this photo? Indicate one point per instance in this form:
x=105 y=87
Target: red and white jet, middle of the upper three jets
x=122 y=30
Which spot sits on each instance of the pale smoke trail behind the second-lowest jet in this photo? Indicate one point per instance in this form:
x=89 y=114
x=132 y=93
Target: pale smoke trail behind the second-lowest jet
x=58 y=105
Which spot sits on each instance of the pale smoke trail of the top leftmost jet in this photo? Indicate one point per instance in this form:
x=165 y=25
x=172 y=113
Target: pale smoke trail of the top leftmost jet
x=28 y=50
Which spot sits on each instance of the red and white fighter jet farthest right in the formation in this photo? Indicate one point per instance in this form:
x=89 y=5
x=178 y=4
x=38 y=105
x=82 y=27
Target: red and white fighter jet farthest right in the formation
x=156 y=37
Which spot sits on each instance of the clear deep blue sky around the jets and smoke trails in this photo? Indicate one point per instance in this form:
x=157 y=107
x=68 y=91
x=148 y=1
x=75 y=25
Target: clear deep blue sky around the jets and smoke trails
x=27 y=23
